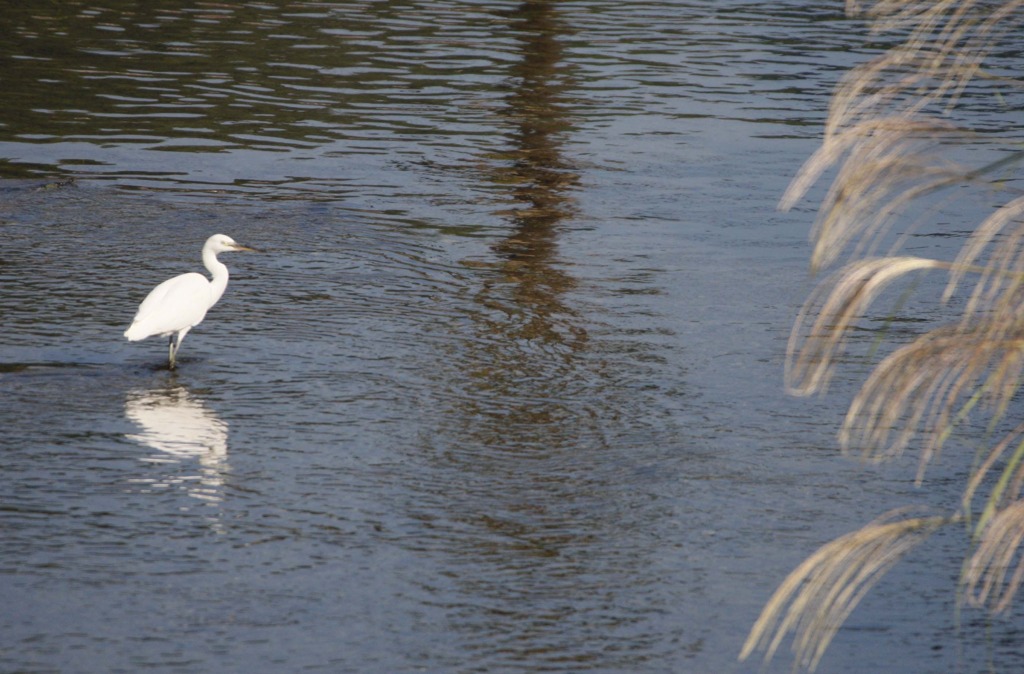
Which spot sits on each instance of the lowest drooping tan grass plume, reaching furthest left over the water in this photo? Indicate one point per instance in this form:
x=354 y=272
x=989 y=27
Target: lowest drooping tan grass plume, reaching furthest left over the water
x=818 y=598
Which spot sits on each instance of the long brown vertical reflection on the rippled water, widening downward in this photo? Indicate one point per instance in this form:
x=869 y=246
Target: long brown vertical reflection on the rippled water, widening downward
x=529 y=509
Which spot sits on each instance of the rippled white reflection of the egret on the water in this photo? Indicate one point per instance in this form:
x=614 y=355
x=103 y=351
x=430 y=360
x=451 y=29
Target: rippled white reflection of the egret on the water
x=183 y=431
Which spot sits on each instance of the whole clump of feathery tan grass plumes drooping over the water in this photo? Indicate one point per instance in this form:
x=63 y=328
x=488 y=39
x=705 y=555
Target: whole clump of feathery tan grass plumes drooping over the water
x=889 y=139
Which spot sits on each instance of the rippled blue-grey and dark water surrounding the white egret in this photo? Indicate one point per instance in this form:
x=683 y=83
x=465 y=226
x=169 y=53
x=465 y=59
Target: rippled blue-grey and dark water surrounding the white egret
x=504 y=393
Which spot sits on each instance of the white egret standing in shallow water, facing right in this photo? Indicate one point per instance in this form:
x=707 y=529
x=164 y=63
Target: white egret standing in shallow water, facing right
x=180 y=305
